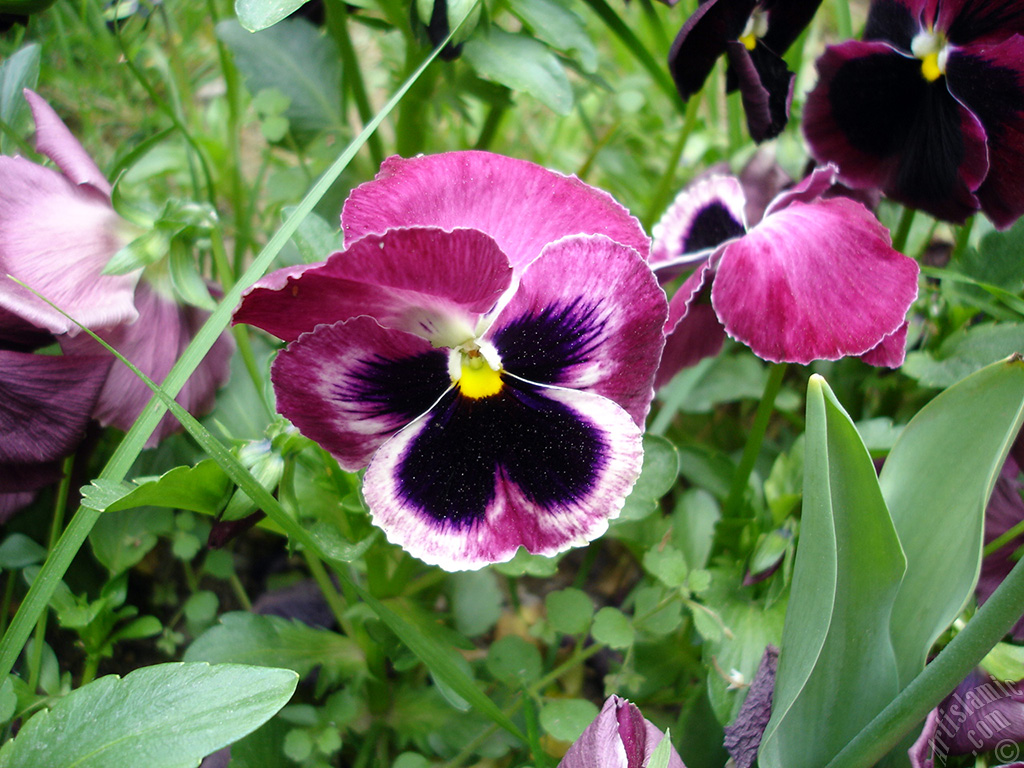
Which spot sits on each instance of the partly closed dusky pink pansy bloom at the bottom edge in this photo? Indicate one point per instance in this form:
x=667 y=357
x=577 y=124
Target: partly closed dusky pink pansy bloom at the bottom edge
x=619 y=738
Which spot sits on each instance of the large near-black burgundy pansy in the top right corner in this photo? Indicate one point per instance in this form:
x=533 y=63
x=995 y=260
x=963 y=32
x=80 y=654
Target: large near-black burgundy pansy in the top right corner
x=929 y=108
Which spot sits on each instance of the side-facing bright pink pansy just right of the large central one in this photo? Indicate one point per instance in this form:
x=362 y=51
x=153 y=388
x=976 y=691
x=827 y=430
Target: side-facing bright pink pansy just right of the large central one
x=817 y=279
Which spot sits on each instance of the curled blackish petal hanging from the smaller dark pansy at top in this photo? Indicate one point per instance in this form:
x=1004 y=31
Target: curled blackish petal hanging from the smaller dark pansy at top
x=765 y=86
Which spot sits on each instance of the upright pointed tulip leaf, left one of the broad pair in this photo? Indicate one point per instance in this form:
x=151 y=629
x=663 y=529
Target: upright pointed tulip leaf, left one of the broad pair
x=837 y=668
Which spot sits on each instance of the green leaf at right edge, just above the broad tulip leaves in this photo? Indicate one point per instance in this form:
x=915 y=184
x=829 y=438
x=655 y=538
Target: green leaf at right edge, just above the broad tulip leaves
x=965 y=353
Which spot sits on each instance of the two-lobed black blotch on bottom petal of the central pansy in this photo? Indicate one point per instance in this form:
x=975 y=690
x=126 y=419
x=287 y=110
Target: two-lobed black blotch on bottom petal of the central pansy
x=451 y=471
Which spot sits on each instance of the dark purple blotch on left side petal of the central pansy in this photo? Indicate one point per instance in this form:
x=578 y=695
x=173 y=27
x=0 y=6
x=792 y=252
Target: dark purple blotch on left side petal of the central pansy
x=406 y=388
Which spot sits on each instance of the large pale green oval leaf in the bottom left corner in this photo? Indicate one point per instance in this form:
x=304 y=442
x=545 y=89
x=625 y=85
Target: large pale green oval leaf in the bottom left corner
x=167 y=716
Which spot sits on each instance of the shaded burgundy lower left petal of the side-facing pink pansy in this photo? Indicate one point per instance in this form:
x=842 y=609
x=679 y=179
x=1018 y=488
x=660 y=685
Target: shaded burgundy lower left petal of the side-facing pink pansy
x=694 y=330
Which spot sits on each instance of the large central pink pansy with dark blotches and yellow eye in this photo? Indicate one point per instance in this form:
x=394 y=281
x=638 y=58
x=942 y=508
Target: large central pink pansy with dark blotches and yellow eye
x=487 y=343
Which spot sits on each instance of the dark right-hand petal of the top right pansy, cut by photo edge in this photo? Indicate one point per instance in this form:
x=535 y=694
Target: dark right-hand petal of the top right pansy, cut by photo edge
x=990 y=80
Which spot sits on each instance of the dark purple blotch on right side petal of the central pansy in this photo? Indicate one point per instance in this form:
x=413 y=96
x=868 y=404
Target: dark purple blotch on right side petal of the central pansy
x=541 y=347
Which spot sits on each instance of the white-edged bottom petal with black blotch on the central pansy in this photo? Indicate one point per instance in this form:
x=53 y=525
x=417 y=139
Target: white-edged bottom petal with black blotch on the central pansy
x=476 y=480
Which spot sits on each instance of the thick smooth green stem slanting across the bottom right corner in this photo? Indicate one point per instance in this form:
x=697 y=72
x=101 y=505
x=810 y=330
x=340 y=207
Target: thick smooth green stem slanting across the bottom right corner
x=941 y=677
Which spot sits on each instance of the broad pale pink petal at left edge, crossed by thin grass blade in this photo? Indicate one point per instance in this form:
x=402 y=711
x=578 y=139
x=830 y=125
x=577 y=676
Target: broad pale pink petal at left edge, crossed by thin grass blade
x=57 y=239
